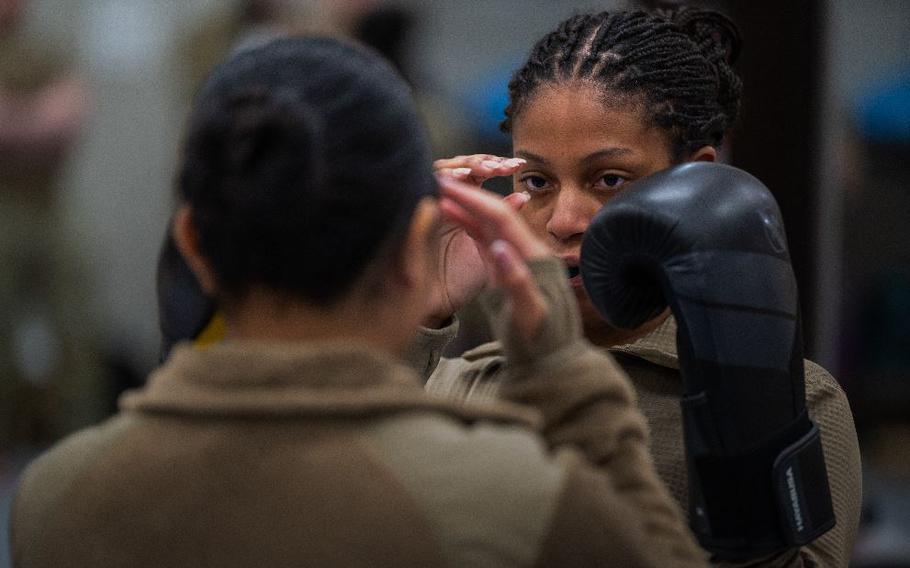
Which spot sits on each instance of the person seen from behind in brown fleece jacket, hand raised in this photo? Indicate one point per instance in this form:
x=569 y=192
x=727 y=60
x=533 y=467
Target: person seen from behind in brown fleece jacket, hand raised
x=308 y=207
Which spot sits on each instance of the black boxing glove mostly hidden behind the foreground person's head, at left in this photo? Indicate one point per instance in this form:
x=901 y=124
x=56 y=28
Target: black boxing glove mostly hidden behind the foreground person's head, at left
x=183 y=308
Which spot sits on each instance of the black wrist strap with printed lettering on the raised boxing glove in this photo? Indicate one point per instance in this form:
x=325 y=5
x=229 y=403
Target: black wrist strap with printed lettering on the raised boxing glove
x=772 y=497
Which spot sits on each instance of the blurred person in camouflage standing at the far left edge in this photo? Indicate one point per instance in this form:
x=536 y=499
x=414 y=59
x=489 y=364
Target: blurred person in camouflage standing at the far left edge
x=50 y=379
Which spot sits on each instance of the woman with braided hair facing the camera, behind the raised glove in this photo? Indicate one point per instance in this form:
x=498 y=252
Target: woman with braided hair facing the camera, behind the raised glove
x=603 y=100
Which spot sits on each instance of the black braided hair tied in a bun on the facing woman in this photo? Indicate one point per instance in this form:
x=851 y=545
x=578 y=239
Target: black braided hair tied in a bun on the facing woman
x=677 y=63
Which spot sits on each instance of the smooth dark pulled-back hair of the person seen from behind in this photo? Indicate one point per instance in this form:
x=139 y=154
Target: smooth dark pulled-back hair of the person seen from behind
x=304 y=161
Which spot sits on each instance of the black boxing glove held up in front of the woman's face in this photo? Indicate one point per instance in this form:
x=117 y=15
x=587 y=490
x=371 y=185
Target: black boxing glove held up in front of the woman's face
x=707 y=240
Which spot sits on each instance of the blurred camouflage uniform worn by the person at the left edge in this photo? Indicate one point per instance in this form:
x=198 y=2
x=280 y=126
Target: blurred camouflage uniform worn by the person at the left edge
x=50 y=379
